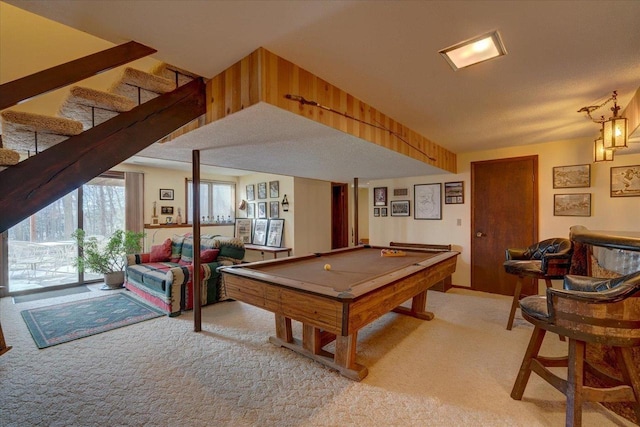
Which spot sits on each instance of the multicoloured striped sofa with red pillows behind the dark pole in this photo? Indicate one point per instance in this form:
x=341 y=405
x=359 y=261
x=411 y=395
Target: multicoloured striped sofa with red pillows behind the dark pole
x=163 y=277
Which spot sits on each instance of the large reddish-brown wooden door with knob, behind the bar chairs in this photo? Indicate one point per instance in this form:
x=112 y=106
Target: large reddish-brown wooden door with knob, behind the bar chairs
x=504 y=214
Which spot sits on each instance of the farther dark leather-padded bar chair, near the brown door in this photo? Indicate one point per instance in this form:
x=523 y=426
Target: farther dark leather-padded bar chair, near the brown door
x=549 y=260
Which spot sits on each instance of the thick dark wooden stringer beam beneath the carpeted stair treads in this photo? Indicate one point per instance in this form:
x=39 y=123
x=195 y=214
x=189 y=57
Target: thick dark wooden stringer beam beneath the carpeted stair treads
x=44 y=178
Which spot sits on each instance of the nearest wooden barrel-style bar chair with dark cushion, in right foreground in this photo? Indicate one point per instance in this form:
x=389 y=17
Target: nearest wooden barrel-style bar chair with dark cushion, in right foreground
x=587 y=311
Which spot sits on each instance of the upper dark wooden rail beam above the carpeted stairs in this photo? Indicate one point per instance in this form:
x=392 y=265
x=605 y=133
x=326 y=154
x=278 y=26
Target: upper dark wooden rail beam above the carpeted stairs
x=70 y=72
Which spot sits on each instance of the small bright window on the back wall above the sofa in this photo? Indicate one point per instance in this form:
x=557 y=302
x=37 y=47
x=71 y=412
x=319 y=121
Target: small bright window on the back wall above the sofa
x=217 y=201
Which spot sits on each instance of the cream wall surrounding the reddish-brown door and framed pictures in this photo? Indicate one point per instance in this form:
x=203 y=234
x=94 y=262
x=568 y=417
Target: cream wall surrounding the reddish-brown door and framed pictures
x=607 y=213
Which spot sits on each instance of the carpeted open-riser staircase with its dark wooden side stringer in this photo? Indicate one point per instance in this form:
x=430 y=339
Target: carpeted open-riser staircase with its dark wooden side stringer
x=43 y=158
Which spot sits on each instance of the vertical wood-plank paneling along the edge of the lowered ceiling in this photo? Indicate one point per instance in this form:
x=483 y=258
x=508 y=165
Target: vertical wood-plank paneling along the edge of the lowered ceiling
x=265 y=77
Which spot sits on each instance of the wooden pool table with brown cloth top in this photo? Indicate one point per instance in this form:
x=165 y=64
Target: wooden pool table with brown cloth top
x=334 y=294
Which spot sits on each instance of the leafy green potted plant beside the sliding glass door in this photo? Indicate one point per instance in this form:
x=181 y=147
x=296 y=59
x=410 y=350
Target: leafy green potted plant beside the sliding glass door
x=108 y=257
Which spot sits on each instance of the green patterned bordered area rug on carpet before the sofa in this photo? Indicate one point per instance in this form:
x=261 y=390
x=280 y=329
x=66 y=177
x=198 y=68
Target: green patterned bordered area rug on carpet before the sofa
x=57 y=324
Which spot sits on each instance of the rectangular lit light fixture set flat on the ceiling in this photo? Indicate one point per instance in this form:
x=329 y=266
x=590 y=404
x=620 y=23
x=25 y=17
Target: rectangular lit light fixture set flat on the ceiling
x=475 y=50
